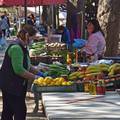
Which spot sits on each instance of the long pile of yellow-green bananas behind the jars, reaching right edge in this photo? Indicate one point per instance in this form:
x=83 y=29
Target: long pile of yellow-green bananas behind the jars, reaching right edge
x=95 y=70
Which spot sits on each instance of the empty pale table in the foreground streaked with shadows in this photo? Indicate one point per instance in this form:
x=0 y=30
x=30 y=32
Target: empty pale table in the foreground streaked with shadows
x=81 y=106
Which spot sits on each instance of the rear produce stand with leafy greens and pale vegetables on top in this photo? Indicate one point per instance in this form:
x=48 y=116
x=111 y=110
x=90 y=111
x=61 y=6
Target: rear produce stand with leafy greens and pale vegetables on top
x=47 y=52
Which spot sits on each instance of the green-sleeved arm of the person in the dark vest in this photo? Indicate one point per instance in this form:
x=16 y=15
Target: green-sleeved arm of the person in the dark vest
x=16 y=55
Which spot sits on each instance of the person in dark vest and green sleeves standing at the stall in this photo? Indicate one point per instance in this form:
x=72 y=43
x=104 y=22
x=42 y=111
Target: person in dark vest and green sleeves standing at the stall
x=15 y=73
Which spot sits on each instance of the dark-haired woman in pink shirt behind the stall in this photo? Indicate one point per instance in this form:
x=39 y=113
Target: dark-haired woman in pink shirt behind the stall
x=95 y=46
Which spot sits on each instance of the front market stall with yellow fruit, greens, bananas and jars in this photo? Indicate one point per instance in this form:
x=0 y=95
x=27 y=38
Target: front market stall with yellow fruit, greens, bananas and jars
x=94 y=79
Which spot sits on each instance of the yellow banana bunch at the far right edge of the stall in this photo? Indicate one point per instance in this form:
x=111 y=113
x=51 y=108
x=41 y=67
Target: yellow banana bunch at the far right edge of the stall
x=114 y=69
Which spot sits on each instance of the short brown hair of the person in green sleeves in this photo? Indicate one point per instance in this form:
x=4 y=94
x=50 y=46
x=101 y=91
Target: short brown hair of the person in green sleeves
x=31 y=30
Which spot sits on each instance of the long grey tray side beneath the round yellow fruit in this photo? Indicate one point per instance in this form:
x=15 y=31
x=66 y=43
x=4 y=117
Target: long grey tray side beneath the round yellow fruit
x=36 y=88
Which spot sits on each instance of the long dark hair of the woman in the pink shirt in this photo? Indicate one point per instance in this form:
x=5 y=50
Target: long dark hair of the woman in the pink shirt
x=96 y=25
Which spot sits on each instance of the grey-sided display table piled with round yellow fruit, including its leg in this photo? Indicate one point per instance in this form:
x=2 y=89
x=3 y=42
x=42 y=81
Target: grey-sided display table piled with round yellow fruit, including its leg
x=49 y=84
